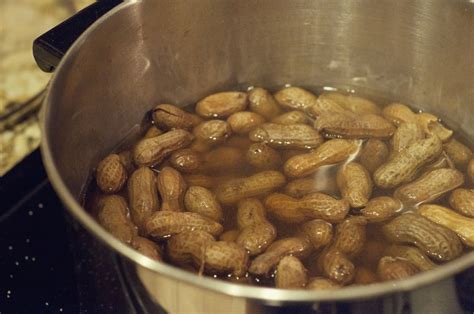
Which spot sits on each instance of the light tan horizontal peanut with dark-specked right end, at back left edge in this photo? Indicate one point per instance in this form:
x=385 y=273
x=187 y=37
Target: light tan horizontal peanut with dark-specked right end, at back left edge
x=221 y=105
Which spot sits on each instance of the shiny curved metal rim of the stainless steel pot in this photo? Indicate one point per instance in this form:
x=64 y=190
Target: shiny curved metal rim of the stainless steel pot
x=263 y=294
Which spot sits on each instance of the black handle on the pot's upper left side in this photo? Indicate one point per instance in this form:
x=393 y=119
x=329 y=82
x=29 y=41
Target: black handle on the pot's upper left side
x=49 y=48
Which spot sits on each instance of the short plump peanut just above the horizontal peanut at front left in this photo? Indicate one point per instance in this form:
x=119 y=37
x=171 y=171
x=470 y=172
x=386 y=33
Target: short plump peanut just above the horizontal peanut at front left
x=201 y=201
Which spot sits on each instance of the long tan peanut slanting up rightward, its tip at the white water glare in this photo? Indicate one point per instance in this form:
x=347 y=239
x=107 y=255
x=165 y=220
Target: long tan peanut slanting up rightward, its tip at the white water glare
x=330 y=152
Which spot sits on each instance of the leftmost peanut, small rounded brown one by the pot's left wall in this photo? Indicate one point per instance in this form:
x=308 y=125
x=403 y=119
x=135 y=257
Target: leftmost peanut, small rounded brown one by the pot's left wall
x=111 y=174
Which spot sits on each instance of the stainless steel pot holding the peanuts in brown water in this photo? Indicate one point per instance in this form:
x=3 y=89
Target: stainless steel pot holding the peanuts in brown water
x=145 y=52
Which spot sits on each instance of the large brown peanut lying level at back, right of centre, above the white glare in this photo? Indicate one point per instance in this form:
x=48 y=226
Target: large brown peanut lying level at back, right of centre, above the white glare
x=335 y=124
